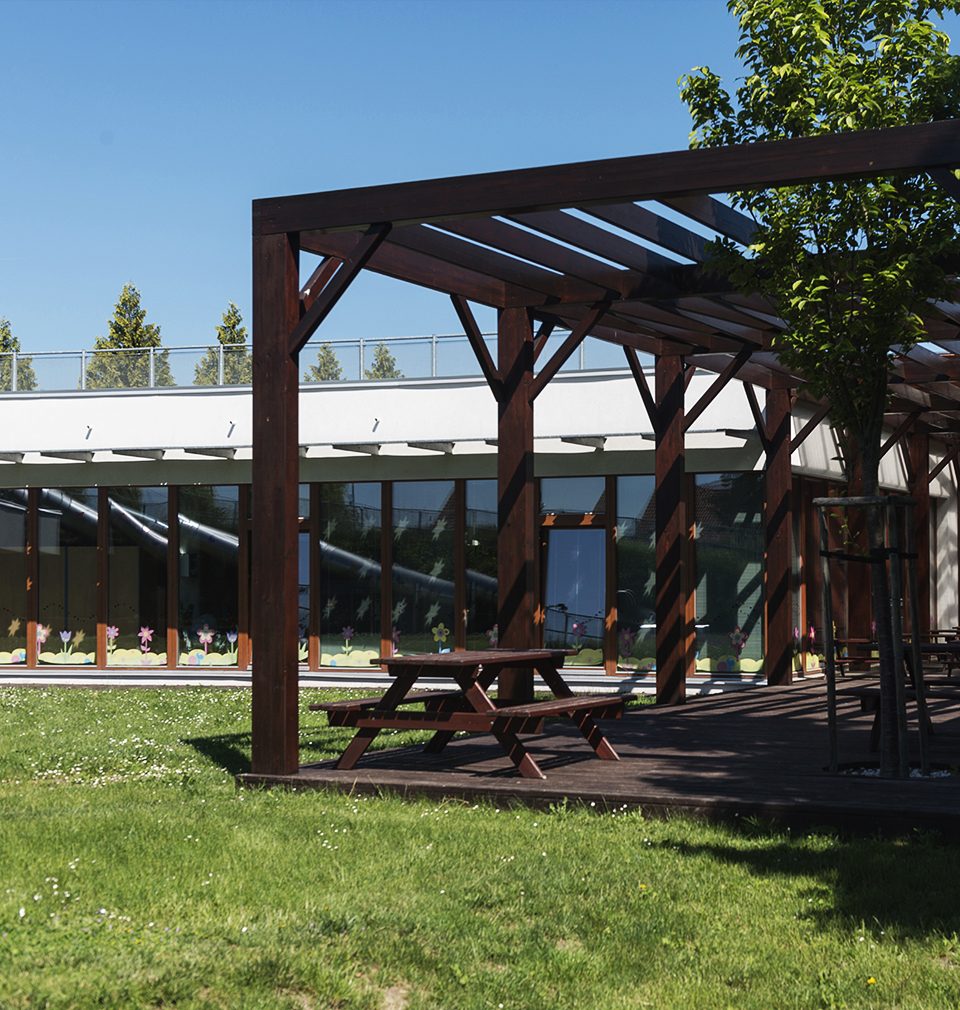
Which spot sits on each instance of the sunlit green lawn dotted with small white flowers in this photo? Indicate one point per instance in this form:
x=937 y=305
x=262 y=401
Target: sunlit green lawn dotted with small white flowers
x=134 y=874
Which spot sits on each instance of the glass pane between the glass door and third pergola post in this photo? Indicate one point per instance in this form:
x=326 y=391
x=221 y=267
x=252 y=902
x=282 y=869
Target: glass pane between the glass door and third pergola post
x=636 y=574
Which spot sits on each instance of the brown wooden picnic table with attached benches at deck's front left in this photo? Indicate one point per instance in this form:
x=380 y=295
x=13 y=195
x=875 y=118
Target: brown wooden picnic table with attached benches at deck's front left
x=469 y=708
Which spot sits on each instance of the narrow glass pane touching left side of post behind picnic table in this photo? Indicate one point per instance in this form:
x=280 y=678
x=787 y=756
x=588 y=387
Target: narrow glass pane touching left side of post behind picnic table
x=481 y=553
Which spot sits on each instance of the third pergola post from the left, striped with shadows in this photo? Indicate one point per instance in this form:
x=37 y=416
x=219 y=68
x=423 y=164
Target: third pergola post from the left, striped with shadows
x=674 y=665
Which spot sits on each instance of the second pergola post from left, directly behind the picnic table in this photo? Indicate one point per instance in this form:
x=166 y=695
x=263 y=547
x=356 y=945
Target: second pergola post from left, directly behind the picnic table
x=517 y=499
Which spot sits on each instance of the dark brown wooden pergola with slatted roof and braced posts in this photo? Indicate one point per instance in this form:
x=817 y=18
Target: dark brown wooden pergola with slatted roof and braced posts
x=569 y=248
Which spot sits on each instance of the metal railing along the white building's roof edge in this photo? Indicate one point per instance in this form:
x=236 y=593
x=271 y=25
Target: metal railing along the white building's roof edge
x=359 y=360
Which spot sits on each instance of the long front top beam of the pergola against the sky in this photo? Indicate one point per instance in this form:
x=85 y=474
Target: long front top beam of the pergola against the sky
x=647 y=177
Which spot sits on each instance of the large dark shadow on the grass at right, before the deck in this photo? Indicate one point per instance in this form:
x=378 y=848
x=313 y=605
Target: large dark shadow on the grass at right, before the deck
x=909 y=888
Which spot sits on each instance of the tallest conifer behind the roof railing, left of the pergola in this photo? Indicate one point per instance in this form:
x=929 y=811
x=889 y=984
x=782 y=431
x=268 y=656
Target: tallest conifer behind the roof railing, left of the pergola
x=118 y=362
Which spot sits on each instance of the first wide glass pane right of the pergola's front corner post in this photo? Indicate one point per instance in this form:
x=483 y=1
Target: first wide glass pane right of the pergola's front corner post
x=350 y=574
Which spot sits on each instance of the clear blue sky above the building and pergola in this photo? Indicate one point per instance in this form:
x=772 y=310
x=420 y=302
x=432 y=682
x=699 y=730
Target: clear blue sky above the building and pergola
x=135 y=136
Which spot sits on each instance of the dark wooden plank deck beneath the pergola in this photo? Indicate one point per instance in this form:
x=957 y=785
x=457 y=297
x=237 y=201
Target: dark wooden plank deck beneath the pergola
x=758 y=752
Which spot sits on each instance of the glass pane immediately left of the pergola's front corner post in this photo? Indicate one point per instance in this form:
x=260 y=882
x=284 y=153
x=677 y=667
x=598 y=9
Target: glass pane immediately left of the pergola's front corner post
x=210 y=549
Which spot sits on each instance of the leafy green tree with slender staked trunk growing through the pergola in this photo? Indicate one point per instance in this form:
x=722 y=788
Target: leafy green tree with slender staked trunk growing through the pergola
x=851 y=264
